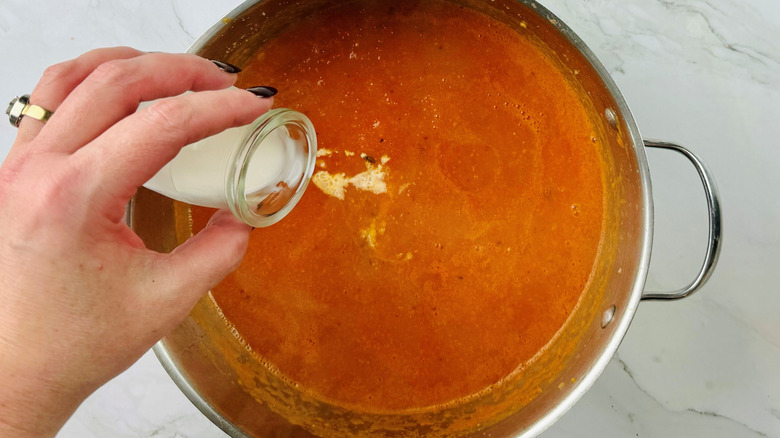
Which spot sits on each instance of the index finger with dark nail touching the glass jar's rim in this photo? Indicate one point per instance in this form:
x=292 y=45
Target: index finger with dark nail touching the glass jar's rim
x=132 y=151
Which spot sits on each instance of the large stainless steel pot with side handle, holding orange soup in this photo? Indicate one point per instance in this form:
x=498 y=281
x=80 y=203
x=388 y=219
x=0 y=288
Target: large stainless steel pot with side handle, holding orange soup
x=228 y=384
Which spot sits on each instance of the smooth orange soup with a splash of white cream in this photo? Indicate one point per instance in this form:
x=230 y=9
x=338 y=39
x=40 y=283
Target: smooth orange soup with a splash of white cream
x=454 y=216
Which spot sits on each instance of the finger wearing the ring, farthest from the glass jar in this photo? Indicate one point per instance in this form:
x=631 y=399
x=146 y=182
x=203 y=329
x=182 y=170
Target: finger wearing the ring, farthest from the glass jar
x=59 y=80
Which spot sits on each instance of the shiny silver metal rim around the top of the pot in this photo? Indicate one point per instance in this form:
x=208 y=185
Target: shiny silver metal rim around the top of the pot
x=584 y=384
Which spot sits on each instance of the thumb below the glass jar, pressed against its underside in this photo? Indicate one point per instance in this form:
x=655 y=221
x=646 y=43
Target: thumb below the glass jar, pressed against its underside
x=204 y=260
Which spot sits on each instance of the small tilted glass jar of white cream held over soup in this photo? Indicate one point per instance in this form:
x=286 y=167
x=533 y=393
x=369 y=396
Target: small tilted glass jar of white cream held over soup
x=257 y=171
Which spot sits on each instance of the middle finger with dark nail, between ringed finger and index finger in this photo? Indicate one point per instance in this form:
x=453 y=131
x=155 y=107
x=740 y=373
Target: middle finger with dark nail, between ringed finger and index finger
x=115 y=88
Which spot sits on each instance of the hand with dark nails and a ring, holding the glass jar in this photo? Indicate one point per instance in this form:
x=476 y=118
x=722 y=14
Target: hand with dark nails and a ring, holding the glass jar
x=82 y=298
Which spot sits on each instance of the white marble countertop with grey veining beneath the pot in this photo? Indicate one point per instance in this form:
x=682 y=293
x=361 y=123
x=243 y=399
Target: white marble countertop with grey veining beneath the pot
x=704 y=73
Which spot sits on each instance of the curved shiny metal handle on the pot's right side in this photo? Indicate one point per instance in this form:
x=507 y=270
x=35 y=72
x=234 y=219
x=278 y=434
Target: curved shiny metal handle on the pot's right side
x=715 y=231
